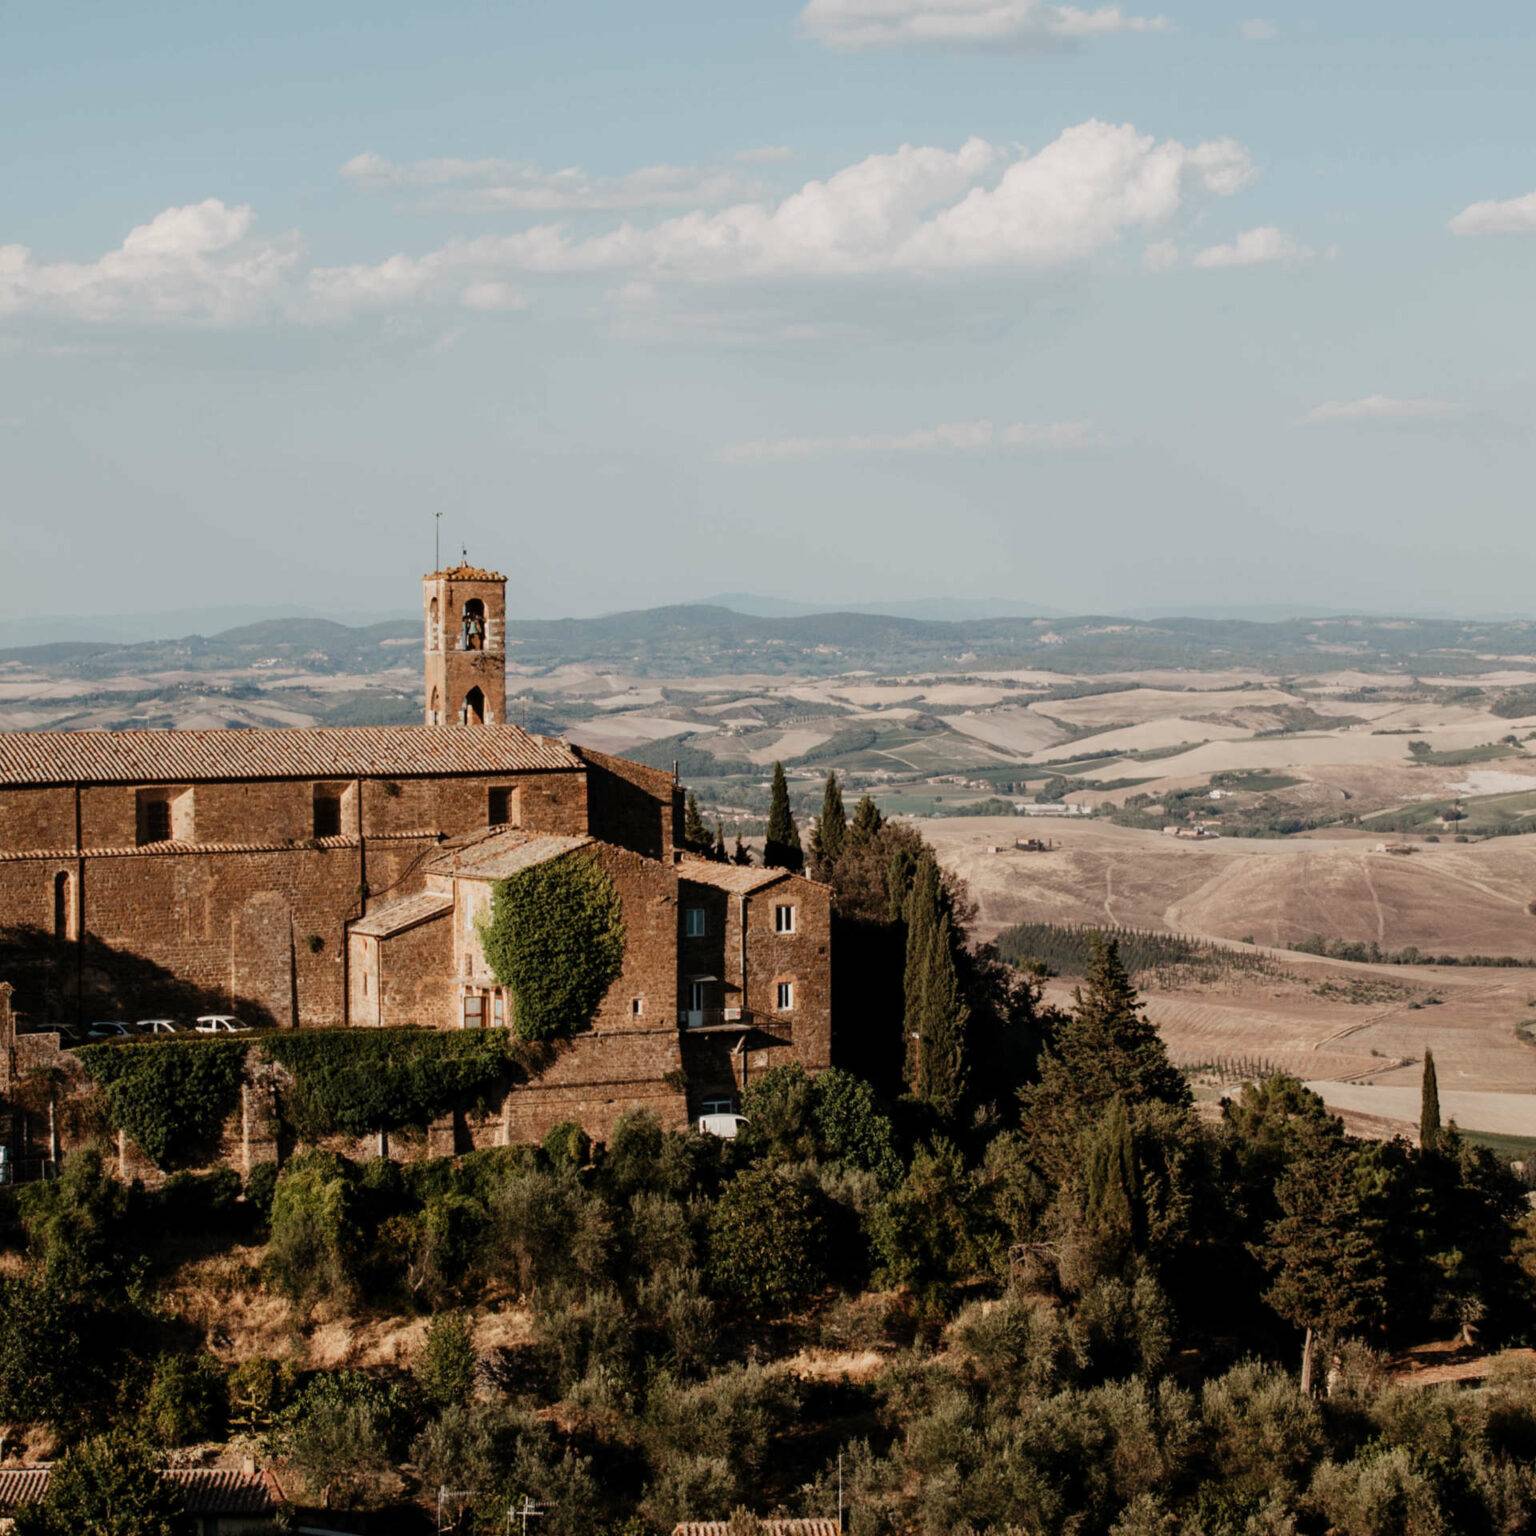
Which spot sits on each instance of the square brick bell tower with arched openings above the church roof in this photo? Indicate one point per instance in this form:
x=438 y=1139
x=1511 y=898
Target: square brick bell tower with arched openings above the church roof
x=466 y=612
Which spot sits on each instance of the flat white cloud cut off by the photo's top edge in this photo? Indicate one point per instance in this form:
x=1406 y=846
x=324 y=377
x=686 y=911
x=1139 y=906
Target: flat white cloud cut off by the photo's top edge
x=964 y=24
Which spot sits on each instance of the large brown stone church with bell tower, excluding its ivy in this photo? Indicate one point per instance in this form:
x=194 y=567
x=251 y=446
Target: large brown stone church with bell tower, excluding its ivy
x=336 y=878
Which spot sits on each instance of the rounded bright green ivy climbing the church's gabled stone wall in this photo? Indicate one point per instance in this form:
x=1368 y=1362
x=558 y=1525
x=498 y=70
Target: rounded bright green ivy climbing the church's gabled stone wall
x=555 y=939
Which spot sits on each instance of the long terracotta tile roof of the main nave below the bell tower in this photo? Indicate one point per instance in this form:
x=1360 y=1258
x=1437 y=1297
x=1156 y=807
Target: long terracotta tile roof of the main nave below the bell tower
x=336 y=752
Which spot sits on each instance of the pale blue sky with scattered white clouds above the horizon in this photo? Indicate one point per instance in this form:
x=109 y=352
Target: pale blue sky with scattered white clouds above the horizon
x=1097 y=306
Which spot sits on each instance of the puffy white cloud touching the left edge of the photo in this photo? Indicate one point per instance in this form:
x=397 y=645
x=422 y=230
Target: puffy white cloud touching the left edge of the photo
x=200 y=263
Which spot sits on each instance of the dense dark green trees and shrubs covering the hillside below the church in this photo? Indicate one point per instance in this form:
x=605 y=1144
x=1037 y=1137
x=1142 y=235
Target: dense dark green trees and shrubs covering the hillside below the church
x=1036 y=1291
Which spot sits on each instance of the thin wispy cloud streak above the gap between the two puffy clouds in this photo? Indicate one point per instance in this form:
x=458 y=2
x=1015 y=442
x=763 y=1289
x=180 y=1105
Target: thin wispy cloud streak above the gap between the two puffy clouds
x=523 y=188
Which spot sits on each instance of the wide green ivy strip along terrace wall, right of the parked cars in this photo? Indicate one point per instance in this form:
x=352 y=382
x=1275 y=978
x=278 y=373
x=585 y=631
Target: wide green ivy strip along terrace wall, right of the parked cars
x=362 y=1081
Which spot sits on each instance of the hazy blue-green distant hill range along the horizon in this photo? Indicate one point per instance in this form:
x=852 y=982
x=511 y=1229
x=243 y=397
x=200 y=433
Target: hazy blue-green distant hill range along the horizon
x=710 y=640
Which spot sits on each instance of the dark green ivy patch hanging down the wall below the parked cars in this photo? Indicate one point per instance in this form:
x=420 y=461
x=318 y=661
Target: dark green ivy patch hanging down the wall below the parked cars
x=171 y=1096
